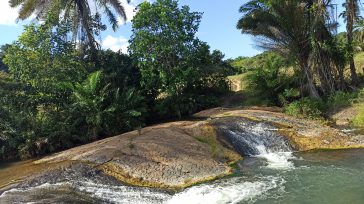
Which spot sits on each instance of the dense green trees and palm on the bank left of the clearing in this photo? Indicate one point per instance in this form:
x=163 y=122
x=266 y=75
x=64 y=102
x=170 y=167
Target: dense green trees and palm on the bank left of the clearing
x=55 y=95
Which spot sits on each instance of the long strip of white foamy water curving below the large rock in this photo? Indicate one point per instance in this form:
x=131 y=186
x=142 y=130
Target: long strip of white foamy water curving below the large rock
x=230 y=190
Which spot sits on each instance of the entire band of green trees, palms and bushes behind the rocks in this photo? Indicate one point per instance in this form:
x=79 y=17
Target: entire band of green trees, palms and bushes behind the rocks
x=59 y=89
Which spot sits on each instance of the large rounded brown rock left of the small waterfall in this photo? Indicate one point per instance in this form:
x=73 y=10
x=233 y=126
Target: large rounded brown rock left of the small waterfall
x=170 y=155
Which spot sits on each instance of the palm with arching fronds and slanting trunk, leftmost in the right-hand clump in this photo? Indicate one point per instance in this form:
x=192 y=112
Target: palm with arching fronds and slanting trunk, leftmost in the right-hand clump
x=282 y=28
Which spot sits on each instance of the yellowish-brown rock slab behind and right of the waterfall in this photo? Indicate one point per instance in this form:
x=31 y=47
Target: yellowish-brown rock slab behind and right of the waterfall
x=303 y=134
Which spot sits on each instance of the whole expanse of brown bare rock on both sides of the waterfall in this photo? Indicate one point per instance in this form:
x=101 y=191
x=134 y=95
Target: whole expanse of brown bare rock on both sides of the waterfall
x=180 y=154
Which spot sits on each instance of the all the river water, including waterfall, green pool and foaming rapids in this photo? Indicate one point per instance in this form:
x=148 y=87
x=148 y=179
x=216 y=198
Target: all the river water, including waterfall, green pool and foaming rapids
x=272 y=173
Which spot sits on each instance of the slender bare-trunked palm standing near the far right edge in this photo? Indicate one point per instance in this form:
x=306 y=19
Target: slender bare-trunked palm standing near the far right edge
x=351 y=16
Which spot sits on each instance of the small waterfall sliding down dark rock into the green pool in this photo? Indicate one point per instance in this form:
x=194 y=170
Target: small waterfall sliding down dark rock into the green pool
x=258 y=139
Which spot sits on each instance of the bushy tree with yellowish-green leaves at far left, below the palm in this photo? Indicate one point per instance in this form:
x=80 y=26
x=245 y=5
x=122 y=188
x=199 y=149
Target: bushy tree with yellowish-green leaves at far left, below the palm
x=41 y=58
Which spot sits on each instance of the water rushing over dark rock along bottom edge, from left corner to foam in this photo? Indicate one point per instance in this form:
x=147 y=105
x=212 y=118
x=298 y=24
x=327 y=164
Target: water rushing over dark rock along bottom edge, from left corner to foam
x=229 y=190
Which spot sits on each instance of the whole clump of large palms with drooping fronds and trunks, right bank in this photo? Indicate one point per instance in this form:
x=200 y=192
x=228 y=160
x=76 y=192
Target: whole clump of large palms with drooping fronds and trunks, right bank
x=293 y=29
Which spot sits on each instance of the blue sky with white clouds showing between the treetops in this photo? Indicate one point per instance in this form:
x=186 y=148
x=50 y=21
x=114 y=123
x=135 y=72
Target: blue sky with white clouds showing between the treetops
x=218 y=27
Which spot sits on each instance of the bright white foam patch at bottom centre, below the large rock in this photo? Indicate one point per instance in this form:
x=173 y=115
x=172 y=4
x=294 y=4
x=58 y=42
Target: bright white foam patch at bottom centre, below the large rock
x=234 y=190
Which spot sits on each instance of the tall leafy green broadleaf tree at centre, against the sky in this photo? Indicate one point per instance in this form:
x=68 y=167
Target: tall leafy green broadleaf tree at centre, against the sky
x=163 y=43
